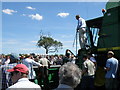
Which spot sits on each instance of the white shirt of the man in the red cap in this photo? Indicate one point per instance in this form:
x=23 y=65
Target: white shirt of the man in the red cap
x=24 y=83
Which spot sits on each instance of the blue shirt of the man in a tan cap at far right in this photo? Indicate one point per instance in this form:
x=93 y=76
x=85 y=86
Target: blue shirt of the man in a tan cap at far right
x=111 y=63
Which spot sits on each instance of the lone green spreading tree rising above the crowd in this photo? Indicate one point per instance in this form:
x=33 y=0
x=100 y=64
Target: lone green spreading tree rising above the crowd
x=49 y=44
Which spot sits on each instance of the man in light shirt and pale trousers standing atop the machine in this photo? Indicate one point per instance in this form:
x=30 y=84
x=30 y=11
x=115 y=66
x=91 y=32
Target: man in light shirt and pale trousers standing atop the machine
x=81 y=28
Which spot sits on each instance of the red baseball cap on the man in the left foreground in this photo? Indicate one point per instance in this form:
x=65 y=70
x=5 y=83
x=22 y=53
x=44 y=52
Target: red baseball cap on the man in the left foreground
x=19 y=67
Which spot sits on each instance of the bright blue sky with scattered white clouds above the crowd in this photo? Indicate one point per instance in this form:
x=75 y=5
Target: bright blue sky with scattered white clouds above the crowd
x=23 y=21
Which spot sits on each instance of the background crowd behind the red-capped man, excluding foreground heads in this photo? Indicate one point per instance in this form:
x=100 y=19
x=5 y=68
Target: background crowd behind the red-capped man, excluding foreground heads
x=30 y=60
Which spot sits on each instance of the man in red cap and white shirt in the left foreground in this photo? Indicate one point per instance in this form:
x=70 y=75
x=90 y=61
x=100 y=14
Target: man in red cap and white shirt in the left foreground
x=19 y=78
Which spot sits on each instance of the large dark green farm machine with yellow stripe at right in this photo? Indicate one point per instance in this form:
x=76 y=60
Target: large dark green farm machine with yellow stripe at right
x=103 y=34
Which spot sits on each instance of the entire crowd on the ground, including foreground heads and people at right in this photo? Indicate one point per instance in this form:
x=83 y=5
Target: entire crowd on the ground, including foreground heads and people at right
x=18 y=72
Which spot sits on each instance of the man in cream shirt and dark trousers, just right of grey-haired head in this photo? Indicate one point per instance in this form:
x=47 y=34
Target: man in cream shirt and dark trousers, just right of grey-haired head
x=88 y=72
